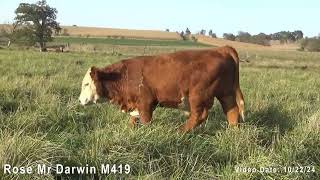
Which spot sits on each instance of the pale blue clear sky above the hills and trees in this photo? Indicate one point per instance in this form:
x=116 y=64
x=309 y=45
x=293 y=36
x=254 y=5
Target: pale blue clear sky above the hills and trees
x=222 y=16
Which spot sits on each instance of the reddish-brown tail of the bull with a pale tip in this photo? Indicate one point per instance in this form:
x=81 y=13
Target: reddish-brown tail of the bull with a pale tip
x=238 y=93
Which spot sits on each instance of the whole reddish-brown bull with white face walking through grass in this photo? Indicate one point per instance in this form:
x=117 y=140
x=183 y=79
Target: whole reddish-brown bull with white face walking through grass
x=188 y=80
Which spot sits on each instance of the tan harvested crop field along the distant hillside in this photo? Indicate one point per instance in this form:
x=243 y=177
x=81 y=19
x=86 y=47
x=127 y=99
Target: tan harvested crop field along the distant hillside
x=81 y=31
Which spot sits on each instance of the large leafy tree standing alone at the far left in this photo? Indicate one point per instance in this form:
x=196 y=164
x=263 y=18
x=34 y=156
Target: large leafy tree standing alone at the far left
x=38 y=21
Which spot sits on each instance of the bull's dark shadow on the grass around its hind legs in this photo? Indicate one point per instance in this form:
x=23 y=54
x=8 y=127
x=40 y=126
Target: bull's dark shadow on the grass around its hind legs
x=273 y=120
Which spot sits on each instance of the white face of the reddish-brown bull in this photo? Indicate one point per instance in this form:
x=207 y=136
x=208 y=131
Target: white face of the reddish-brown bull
x=88 y=90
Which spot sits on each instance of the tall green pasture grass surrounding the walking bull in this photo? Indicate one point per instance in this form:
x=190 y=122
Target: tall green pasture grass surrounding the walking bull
x=41 y=121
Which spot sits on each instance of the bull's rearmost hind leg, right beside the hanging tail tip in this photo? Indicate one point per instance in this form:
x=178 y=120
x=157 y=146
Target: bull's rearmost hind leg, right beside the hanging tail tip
x=230 y=108
